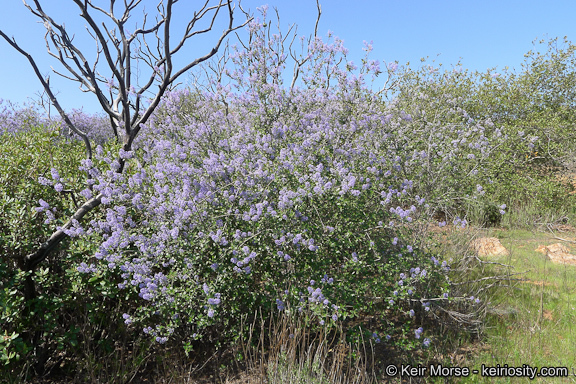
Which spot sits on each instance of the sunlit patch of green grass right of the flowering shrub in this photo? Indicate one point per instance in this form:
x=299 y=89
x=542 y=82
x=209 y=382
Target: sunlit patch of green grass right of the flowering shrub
x=533 y=321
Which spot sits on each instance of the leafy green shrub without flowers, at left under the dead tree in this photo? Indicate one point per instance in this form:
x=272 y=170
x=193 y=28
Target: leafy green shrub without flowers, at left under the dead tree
x=66 y=301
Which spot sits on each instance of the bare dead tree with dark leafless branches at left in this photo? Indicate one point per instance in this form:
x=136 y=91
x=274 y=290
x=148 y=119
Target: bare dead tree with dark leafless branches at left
x=119 y=52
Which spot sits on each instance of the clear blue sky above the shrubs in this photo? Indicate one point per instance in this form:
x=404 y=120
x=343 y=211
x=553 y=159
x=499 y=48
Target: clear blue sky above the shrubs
x=483 y=34
